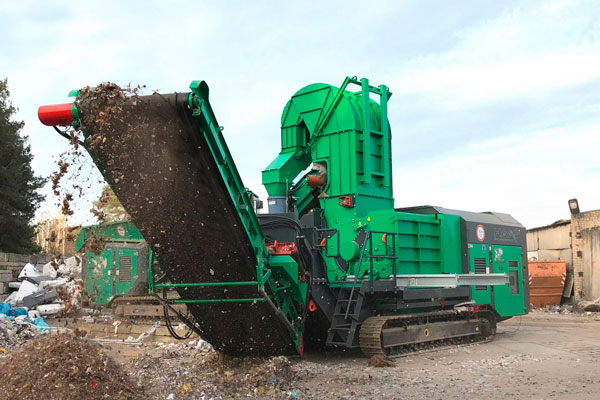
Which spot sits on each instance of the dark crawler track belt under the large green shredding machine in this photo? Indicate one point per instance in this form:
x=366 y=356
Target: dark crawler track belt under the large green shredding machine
x=371 y=329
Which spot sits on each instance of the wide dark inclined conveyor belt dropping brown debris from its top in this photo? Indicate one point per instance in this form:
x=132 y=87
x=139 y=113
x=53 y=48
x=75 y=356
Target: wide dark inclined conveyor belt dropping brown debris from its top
x=151 y=151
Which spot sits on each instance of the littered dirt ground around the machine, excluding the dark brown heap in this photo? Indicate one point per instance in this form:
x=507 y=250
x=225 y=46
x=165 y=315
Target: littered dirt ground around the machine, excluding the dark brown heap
x=539 y=356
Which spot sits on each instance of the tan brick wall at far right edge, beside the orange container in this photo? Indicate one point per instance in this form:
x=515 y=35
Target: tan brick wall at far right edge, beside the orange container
x=585 y=240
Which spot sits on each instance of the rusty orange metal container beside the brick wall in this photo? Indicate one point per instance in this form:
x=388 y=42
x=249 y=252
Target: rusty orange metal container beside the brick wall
x=546 y=282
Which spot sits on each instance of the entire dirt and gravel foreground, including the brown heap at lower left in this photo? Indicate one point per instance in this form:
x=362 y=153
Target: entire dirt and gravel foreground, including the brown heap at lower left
x=540 y=356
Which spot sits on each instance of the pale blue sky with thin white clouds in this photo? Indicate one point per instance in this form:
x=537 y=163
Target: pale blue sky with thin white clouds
x=495 y=106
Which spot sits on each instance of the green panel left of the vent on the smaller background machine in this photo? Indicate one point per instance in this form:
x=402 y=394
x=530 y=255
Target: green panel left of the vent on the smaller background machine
x=99 y=276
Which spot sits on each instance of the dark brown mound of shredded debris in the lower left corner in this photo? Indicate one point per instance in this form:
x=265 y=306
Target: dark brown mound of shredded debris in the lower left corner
x=64 y=367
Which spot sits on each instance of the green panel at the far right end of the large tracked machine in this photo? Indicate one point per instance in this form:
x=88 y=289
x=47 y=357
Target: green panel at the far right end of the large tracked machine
x=509 y=299
